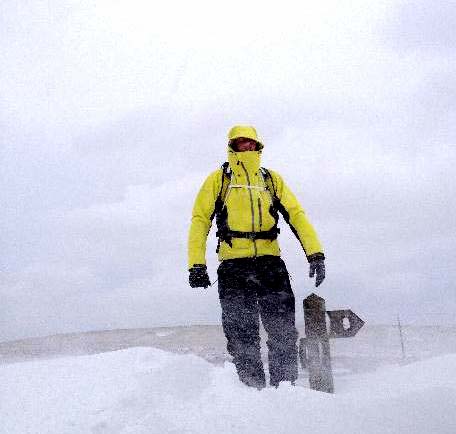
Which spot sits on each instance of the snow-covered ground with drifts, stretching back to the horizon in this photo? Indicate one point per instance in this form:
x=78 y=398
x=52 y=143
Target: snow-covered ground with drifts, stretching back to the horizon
x=140 y=389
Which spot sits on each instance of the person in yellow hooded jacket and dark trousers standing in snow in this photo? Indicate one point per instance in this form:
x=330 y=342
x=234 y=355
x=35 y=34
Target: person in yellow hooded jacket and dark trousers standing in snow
x=253 y=281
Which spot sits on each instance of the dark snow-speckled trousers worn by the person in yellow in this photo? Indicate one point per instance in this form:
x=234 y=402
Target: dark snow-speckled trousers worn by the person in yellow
x=250 y=289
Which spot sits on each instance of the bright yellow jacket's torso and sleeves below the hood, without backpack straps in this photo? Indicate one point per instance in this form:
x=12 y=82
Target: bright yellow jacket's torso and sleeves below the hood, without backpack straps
x=248 y=205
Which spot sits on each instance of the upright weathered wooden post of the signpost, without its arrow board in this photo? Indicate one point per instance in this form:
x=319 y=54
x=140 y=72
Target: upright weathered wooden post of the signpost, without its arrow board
x=317 y=351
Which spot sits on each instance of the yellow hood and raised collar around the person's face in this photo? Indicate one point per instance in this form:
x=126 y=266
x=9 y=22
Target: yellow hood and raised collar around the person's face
x=249 y=159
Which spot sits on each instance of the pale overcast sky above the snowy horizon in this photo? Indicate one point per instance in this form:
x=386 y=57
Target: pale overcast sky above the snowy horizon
x=112 y=113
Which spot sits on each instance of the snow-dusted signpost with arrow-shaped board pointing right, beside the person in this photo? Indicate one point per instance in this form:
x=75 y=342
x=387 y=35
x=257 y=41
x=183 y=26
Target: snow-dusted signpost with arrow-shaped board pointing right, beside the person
x=314 y=349
